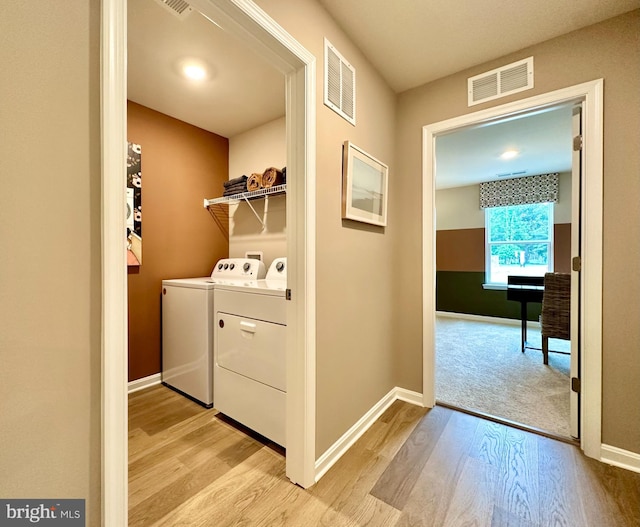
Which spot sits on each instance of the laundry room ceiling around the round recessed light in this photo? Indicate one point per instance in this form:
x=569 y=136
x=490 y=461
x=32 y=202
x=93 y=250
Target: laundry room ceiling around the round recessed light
x=241 y=92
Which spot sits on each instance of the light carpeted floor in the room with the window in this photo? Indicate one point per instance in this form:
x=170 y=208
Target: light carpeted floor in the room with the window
x=479 y=366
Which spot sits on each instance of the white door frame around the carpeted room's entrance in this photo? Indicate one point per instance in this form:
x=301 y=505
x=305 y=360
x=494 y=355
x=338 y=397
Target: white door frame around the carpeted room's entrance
x=591 y=94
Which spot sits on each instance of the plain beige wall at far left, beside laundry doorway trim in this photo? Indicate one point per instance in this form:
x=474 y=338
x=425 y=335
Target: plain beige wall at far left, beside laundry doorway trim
x=50 y=293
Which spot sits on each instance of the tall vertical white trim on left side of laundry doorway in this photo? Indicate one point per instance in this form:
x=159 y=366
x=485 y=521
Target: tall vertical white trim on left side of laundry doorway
x=114 y=266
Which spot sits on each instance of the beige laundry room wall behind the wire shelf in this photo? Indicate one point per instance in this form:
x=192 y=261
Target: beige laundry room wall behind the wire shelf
x=250 y=152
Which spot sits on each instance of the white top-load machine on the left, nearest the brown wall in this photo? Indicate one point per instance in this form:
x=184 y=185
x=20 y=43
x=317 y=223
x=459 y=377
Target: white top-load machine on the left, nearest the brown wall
x=187 y=326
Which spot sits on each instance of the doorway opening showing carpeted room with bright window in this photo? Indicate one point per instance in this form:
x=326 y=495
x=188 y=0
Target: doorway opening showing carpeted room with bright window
x=504 y=200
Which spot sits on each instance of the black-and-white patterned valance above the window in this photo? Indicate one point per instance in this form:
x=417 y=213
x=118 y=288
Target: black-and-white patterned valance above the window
x=519 y=191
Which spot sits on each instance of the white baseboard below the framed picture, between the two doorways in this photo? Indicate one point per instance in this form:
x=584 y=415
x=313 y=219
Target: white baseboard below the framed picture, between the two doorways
x=340 y=447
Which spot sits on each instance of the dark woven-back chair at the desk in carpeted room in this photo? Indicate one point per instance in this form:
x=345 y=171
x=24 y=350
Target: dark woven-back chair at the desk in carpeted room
x=556 y=310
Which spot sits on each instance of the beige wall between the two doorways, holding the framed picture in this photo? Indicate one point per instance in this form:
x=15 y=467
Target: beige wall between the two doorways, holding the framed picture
x=356 y=344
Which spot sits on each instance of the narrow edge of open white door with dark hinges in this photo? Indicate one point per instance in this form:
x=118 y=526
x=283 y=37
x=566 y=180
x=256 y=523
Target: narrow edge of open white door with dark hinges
x=576 y=243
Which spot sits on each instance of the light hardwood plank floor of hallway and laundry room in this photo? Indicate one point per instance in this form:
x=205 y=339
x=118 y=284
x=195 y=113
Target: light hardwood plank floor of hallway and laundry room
x=414 y=467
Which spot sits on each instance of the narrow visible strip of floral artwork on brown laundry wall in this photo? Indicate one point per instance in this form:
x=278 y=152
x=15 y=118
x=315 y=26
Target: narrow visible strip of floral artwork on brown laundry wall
x=134 y=204
